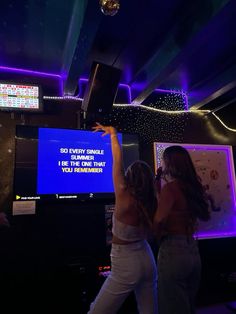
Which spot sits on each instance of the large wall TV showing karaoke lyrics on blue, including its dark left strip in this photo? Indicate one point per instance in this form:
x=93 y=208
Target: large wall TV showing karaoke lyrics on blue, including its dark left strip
x=53 y=163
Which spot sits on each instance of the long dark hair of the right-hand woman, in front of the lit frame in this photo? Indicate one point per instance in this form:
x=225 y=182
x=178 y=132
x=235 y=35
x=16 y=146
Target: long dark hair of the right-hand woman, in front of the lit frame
x=179 y=165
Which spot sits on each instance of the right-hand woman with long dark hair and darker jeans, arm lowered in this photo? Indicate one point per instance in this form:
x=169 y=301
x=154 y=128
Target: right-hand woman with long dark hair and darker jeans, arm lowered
x=181 y=202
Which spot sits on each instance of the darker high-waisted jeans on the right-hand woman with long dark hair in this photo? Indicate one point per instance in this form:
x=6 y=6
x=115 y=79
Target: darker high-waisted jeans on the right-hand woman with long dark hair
x=179 y=269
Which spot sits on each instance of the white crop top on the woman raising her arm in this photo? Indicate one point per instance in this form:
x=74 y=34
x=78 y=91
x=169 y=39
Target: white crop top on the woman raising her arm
x=127 y=232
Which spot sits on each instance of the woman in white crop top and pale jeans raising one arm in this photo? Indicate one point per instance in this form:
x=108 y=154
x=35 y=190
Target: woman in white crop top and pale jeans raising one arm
x=133 y=266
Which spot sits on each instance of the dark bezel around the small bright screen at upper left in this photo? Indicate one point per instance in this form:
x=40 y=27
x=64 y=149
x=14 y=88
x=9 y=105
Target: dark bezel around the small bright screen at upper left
x=24 y=110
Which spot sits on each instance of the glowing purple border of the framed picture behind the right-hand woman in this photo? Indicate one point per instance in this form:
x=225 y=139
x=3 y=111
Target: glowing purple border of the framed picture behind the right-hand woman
x=231 y=219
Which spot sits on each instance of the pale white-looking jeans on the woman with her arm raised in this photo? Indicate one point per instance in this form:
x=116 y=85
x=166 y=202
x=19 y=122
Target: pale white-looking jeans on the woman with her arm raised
x=133 y=268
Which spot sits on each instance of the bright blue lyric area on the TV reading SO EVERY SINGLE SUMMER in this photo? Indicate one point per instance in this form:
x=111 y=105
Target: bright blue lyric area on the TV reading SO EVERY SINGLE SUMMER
x=74 y=162
